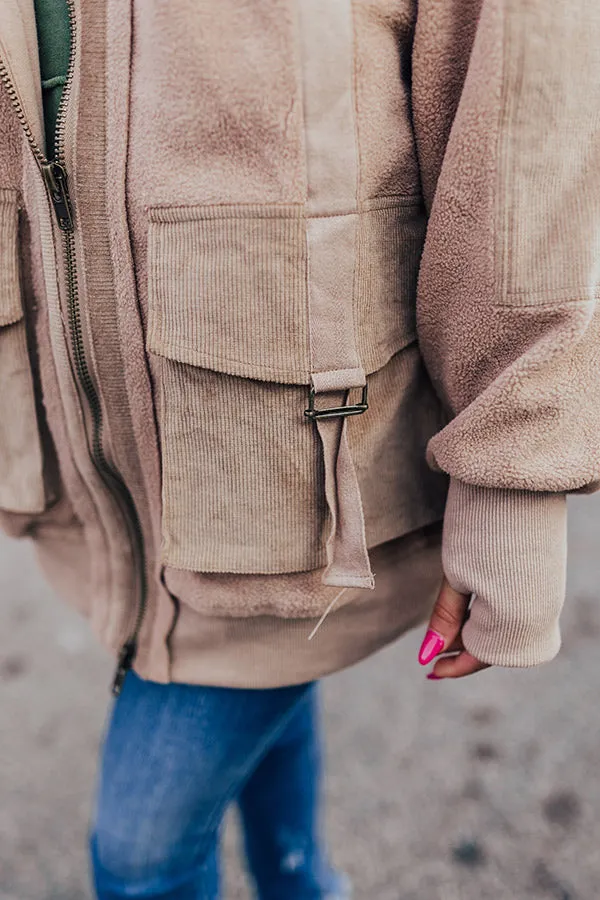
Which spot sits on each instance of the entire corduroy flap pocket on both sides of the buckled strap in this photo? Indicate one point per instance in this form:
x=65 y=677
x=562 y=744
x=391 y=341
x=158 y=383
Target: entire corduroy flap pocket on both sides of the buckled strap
x=242 y=475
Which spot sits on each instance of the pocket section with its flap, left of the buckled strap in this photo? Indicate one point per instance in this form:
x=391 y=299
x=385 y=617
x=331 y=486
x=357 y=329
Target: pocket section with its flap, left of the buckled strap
x=228 y=342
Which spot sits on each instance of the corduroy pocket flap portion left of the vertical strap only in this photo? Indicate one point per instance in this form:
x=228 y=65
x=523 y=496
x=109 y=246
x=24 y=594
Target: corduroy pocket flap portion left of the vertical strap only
x=227 y=289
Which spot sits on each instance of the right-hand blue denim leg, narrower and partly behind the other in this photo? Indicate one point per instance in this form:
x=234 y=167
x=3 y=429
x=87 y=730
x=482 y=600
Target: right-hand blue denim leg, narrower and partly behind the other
x=280 y=809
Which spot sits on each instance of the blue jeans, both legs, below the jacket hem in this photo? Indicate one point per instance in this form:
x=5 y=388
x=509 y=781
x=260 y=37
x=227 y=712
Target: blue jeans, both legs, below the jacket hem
x=175 y=757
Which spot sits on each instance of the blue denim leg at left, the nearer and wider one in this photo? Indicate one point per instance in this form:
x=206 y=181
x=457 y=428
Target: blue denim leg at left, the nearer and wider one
x=174 y=757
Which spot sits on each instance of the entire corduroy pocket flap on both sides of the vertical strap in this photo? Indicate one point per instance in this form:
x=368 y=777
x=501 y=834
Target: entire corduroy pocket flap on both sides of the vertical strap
x=228 y=286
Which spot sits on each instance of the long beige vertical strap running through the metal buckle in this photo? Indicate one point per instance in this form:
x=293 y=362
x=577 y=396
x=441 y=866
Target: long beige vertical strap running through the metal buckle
x=326 y=33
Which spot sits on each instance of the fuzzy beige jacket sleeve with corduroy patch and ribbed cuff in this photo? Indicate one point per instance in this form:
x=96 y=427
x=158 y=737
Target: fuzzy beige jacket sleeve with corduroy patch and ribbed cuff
x=506 y=111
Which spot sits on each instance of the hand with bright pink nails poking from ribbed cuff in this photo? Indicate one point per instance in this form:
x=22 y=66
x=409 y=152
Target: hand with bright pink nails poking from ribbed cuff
x=444 y=635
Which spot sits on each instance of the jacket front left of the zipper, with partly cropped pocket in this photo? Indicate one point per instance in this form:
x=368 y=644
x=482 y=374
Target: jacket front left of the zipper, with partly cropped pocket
x=40 y=447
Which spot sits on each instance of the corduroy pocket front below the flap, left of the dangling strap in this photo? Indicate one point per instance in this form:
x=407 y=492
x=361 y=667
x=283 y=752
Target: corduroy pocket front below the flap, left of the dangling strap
x=236 y=484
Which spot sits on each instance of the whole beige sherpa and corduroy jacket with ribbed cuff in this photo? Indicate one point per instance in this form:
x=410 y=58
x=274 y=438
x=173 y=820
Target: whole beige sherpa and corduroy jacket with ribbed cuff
x=294 y=264
